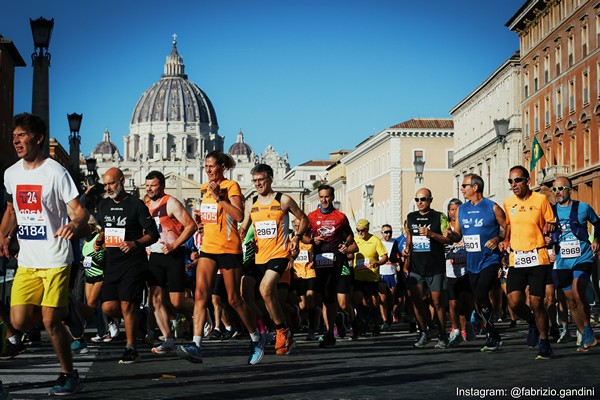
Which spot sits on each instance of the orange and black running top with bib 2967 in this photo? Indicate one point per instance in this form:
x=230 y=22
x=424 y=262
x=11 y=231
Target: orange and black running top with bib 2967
x=271 y=230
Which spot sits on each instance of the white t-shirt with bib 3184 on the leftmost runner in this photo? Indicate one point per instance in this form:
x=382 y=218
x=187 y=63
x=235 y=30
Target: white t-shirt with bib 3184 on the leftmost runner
x=39 y=198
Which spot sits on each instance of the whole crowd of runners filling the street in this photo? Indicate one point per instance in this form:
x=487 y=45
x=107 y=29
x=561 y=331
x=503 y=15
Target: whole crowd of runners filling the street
x=261 y=269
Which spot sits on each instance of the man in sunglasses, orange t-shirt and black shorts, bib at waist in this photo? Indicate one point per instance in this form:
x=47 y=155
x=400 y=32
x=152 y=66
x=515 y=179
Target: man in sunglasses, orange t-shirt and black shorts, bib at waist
x=529 y=218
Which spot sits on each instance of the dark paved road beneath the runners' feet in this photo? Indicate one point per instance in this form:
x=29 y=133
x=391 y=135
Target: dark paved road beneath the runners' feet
x=383 y=367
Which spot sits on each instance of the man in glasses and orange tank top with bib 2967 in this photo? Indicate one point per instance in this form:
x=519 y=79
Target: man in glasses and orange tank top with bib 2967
x=268 y=212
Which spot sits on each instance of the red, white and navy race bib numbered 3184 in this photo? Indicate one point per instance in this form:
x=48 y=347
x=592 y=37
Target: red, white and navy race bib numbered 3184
x=30 y=217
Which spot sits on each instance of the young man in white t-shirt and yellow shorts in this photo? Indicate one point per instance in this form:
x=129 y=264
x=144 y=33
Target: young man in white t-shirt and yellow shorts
x=41 y=197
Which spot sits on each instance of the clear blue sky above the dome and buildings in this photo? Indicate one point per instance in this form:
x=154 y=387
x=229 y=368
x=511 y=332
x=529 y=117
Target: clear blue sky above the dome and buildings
x=308 y=77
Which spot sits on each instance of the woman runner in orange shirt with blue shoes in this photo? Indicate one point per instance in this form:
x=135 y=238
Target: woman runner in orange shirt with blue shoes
x=220 y=211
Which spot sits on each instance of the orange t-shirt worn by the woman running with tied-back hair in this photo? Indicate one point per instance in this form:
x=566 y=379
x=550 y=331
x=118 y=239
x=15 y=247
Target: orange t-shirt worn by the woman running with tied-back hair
x=220 y=229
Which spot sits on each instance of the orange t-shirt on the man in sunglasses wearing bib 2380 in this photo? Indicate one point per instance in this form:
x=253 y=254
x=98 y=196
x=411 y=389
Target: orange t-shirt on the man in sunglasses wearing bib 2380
x=527 y=219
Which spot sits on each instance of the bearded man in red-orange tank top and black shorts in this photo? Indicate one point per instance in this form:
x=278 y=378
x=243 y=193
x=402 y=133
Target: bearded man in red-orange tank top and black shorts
x=167 y=257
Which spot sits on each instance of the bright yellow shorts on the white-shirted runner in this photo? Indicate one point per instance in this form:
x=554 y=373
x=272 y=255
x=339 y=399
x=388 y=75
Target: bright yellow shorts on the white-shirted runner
x=48 y=287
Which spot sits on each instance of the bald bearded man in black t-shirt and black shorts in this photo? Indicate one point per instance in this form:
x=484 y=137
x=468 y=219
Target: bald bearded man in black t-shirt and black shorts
x=127 y=229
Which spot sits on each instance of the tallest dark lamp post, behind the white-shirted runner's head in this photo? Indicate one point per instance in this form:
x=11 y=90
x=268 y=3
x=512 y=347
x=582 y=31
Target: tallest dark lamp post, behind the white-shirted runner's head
x=41 y=29
